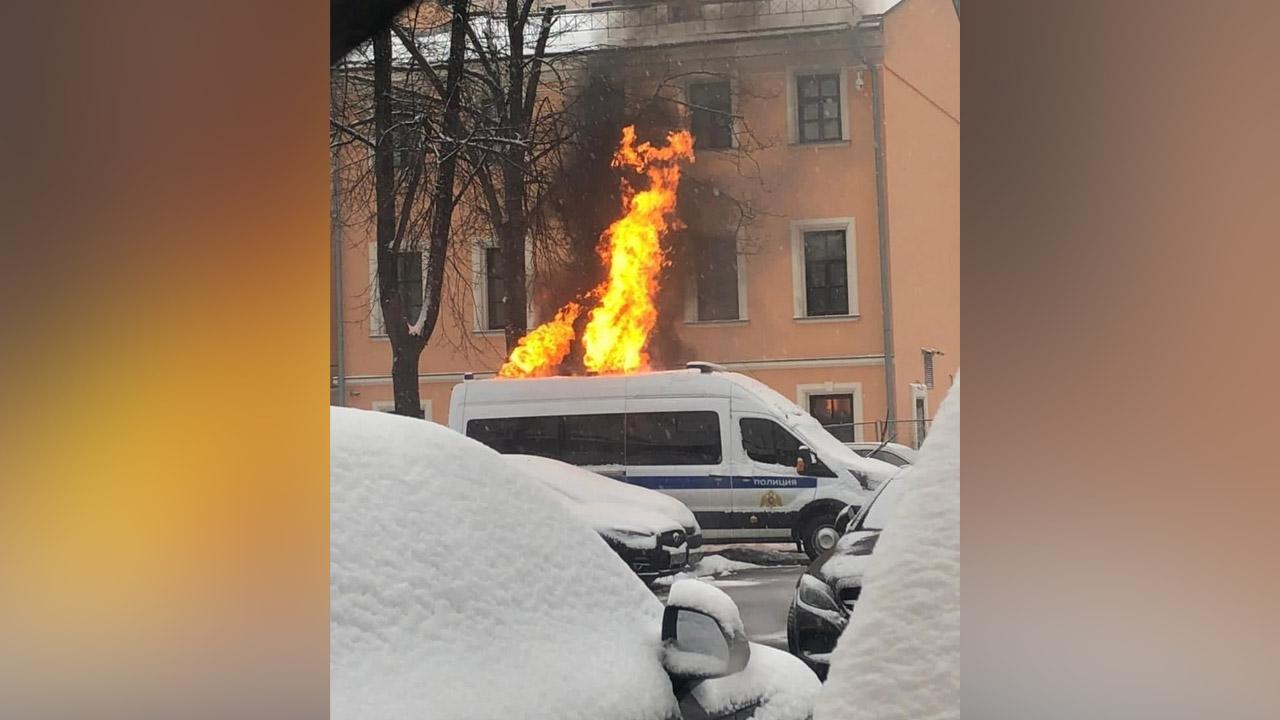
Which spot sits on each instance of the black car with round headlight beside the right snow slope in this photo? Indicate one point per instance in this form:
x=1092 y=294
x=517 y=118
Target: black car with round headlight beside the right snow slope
x=830 y=589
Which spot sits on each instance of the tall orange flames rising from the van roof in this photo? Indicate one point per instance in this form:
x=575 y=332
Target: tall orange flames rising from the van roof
x=619 y=326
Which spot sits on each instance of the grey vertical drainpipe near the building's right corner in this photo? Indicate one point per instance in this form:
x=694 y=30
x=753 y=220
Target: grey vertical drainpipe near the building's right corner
x=872 y=52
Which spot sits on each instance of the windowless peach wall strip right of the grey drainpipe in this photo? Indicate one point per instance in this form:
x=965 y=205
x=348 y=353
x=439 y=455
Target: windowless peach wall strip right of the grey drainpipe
x=922 y=126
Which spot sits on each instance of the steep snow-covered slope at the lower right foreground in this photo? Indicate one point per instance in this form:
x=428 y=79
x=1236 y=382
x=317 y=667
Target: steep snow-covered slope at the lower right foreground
x=900 y=655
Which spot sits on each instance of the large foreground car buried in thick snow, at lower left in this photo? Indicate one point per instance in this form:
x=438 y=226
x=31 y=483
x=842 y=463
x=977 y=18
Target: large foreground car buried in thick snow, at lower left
x=432 y=618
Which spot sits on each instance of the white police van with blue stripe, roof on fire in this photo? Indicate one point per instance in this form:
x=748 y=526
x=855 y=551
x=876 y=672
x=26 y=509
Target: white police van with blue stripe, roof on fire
x=749 y=463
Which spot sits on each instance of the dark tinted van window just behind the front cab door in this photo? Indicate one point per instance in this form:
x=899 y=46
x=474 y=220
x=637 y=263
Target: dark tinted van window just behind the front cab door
x=674 y=439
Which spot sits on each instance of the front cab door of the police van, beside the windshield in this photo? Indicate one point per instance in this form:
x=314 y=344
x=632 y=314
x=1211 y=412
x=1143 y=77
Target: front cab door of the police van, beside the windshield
x=769 y=493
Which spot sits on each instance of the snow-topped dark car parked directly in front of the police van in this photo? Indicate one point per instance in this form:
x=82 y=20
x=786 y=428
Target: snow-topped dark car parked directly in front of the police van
x=656 y=535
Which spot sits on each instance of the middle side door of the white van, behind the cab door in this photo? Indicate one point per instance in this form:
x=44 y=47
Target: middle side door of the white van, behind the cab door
x=676 y=446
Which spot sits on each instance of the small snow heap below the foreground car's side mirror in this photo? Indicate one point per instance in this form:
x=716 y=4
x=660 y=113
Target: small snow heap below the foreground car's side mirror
x=790 y=687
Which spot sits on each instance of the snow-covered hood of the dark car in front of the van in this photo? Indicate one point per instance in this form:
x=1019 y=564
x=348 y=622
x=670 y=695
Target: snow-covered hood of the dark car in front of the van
x=587 y=487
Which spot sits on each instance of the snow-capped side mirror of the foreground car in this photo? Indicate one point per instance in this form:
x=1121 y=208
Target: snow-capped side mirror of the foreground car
x=702 y=634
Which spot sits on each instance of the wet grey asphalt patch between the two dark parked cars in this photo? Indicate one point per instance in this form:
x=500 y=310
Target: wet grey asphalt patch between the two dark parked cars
x=764 y=596
